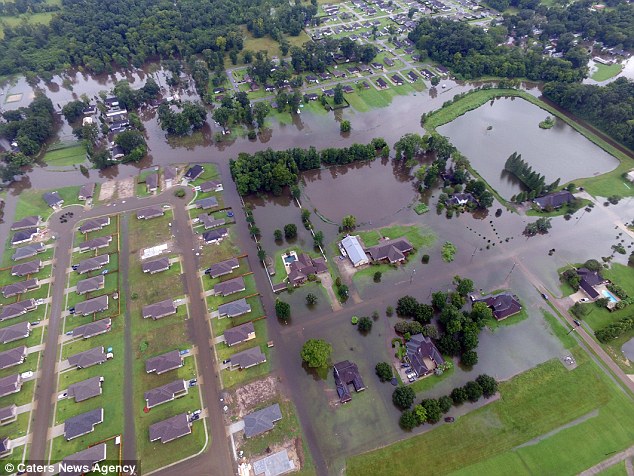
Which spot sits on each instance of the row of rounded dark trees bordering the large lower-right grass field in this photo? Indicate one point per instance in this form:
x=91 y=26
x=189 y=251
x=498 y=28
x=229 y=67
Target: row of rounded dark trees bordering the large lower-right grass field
x=431 y=410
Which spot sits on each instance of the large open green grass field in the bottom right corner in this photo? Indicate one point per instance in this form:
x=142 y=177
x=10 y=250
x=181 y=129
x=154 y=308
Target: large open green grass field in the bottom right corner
x=503 y=437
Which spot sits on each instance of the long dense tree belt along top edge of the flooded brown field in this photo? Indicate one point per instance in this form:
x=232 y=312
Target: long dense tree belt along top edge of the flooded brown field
x=271 y=171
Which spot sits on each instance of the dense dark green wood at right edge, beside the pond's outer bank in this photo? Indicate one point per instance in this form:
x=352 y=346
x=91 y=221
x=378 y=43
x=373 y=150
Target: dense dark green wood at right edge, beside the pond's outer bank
x=607 y=107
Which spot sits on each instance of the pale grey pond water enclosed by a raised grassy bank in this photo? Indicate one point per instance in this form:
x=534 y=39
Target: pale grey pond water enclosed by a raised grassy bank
x=487 y=136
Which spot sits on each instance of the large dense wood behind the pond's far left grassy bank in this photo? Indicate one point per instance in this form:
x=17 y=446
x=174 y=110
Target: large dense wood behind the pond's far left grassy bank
x=472 y=52
